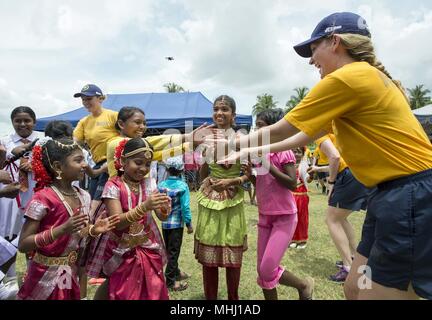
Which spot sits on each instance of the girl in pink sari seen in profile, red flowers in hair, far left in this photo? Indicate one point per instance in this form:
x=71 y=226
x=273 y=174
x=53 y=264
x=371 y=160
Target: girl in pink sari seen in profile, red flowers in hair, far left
x=56 y=223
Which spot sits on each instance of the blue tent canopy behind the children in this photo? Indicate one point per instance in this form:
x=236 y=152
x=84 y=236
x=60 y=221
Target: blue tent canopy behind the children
x=163 y=110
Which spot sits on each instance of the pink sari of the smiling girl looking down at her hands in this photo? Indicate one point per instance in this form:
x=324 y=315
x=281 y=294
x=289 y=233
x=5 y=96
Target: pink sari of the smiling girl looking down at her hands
x=135 y=272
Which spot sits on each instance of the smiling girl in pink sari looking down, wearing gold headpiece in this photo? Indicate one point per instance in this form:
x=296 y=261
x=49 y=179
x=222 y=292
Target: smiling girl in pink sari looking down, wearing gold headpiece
x=134 y=254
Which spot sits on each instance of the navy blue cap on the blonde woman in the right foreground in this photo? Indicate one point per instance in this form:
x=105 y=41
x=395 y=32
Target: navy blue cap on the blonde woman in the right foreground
x=336 y=23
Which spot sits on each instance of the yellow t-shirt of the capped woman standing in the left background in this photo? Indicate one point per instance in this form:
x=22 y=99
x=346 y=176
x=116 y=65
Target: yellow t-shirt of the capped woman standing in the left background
x=96 y=132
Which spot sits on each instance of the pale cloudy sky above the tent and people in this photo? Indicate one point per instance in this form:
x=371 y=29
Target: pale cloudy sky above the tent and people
x=50 y=49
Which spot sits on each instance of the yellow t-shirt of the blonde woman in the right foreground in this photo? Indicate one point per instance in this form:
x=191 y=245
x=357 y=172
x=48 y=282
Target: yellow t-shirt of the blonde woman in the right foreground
x=376 y=131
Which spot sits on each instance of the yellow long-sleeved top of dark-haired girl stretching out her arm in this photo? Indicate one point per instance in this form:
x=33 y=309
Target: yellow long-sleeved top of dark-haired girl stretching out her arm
x=160 y=146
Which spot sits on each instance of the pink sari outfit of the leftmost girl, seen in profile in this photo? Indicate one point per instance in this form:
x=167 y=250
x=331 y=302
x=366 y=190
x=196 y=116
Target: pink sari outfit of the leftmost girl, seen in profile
x=52 y=282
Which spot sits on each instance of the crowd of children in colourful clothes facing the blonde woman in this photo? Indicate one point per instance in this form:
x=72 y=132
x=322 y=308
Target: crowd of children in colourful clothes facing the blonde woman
x=117 y=242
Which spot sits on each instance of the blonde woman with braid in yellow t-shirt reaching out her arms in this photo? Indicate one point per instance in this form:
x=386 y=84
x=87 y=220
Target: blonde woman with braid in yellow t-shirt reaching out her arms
x=384 y=146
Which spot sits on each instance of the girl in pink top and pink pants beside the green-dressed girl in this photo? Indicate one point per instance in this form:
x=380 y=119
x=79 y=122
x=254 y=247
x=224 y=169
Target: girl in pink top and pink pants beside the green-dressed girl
x=277 y=217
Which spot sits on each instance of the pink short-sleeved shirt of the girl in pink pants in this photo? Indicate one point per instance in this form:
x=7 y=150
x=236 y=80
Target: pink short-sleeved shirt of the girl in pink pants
x=273 y=198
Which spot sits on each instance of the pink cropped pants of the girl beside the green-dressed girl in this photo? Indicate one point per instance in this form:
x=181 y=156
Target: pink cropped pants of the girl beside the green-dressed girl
x=274 y=236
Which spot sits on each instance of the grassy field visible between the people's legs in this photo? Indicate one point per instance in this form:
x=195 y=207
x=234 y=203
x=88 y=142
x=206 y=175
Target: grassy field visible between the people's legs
x=317 y=260
